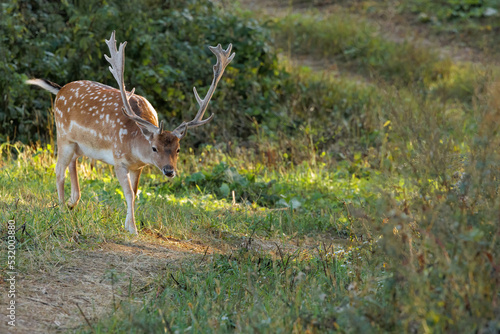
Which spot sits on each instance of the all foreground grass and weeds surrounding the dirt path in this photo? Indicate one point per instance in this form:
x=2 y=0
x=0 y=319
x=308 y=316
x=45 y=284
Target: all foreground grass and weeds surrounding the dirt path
x=389 y=235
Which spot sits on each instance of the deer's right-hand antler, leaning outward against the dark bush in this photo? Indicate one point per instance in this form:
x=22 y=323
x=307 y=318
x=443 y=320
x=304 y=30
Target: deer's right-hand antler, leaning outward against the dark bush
x=223 y=59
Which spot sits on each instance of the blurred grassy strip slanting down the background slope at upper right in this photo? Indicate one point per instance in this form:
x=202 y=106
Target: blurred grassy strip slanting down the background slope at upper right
x=359 y=46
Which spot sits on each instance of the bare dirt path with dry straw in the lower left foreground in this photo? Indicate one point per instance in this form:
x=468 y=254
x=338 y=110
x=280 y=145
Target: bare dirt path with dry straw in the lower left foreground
x=90 y=281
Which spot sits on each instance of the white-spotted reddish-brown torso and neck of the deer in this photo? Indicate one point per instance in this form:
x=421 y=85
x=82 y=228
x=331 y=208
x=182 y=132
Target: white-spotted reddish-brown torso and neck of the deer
x=90 y=114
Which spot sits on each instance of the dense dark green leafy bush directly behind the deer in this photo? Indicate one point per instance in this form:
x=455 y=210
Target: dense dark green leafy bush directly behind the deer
x=166 y=56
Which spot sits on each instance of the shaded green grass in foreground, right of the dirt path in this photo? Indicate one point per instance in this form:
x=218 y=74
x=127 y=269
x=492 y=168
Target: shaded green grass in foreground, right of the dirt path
x=244 y=292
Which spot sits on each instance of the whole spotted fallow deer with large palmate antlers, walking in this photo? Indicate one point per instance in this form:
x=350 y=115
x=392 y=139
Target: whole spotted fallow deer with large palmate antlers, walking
x=118 y=127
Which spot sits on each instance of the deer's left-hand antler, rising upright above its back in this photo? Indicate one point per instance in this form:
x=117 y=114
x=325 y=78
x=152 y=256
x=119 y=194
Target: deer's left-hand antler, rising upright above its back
x=117 y=61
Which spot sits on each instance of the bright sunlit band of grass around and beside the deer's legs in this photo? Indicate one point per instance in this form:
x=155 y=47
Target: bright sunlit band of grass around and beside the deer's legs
x=270 y=202
